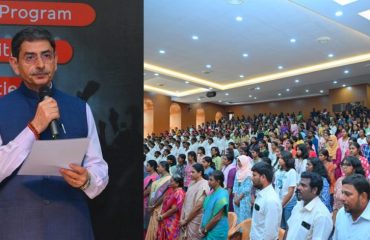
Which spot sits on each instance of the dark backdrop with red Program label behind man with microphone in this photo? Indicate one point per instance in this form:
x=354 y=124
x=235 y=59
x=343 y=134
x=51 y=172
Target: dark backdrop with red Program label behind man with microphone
x=100 y=49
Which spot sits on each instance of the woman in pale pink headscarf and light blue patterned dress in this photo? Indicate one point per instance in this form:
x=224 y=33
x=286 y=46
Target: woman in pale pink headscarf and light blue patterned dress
x=242 y=188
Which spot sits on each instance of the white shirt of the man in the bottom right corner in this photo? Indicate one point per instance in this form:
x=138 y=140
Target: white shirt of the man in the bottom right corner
x=347 y=229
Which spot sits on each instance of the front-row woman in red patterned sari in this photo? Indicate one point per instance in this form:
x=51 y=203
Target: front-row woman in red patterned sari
x=169 y=219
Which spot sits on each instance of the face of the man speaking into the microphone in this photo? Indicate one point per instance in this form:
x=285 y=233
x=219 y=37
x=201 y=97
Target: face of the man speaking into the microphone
x=36 y=63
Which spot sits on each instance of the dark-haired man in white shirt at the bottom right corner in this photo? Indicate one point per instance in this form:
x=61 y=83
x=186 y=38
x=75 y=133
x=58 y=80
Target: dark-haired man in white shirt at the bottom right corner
x=353 y=220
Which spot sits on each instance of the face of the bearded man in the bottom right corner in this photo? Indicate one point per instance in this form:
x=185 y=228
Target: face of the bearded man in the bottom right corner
x=351 y=199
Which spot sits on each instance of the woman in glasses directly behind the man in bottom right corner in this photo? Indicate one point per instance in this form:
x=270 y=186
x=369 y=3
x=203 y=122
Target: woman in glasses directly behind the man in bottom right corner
x=350 y=165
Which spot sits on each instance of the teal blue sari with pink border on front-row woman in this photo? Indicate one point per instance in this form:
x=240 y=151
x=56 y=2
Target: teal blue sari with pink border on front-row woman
x=212 y=205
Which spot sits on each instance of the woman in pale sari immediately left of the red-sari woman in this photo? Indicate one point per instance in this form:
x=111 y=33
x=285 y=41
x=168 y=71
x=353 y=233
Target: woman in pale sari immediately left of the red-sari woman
x=157 y=191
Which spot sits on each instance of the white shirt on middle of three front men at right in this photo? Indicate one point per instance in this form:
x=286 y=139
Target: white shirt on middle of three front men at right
x=312 y=221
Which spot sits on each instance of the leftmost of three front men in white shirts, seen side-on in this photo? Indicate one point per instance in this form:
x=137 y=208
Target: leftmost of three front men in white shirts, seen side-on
x=267 y=209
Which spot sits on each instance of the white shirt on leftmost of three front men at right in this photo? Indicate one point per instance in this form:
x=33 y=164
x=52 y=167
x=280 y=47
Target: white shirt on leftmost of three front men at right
x=266 y=216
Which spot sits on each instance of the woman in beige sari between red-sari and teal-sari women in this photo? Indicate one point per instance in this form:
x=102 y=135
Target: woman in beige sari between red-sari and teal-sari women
x=192 y=212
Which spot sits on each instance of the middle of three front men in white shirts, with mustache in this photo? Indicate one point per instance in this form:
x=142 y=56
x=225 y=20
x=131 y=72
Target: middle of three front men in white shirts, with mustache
x=310 y=217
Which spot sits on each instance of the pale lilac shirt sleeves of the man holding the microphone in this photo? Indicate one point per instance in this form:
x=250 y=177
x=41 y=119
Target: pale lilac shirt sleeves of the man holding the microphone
x=15 y=152
